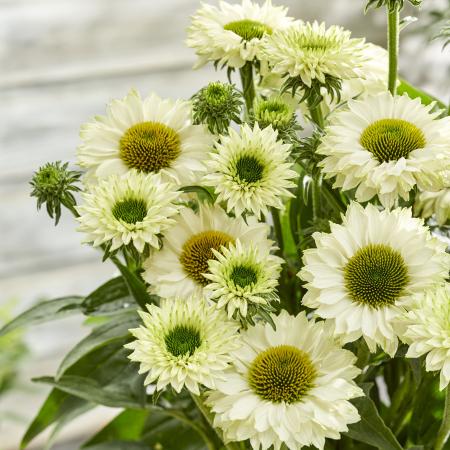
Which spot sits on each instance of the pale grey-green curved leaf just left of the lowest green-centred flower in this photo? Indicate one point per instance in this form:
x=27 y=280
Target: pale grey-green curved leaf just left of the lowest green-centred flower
x=112 y=331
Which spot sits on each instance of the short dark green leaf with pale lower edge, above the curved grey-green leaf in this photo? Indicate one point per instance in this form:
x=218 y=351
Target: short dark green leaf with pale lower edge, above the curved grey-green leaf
x=109 y=298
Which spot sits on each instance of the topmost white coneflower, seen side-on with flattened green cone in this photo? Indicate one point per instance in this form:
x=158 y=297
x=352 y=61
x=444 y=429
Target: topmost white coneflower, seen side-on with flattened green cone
x=232 y=34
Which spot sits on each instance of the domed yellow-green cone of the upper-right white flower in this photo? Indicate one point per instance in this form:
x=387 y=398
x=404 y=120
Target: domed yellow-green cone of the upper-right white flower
x=392 y=139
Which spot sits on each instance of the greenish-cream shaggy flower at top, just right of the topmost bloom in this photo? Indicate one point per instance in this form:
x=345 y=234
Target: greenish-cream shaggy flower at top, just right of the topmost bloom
x=311 y=51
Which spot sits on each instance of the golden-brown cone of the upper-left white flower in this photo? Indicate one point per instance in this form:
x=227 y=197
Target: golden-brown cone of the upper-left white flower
x=149 y=146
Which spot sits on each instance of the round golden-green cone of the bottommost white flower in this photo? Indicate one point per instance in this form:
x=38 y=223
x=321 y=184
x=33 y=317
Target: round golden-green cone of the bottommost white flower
x=282 y=374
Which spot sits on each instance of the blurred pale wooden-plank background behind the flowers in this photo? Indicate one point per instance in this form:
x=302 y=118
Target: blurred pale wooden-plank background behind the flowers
x=61 y=61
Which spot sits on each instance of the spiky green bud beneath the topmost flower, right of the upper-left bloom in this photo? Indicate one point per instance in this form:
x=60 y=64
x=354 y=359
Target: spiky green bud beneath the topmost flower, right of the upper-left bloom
x=216 y=105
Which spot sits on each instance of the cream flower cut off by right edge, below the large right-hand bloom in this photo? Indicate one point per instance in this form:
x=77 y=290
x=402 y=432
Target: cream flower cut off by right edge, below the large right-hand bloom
x=427 y=330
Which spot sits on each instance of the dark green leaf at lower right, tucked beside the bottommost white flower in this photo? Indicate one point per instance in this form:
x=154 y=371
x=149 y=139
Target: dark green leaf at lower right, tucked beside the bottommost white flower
x=371 y=429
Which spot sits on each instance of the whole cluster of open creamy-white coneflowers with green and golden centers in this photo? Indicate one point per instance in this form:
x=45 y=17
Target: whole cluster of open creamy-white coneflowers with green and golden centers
x=274 y=378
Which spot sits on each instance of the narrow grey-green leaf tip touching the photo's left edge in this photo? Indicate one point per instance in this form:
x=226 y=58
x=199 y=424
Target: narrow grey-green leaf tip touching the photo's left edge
x=44 y=312
